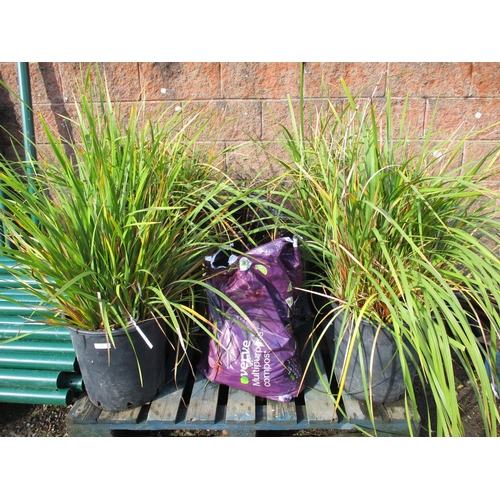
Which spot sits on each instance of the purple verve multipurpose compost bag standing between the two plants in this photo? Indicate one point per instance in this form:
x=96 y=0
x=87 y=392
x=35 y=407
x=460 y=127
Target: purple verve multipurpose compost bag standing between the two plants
x=257 y=351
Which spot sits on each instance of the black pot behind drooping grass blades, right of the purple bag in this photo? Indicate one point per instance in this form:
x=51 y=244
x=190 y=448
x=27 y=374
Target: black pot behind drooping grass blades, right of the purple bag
x=387 y=377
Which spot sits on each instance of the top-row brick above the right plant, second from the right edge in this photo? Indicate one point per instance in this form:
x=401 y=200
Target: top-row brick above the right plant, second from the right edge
x=443 y=79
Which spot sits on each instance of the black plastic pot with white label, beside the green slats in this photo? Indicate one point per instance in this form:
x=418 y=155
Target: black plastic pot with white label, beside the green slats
x=111 y=374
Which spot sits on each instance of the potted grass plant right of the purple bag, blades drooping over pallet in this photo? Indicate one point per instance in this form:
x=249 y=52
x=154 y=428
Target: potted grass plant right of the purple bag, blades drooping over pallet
x=399 y=235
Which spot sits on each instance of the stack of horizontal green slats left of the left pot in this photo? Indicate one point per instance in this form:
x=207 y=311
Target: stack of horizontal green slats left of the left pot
x=39 y=366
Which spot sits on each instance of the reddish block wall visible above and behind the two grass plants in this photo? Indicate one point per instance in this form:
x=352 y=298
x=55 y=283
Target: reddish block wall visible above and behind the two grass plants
x=469 y=94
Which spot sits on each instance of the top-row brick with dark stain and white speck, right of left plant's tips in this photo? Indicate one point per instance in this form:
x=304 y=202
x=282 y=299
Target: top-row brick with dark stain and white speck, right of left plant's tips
x=180 y=81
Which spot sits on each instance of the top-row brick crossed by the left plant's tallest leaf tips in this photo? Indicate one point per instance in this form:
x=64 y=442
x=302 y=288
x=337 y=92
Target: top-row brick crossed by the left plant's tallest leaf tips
x=122 y=79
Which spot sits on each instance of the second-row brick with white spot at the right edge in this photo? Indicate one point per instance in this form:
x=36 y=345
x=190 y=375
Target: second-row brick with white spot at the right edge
x=480 y=116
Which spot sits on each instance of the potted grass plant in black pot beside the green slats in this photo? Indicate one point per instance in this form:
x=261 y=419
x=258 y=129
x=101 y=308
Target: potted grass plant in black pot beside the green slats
x=112 y=227
